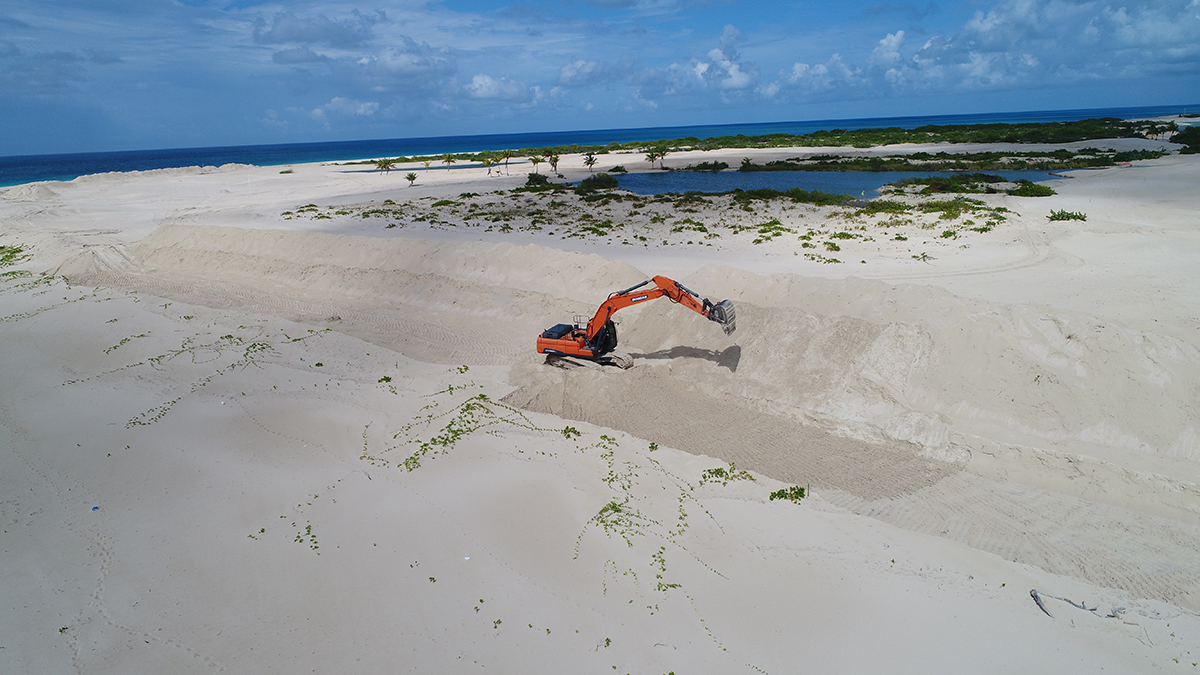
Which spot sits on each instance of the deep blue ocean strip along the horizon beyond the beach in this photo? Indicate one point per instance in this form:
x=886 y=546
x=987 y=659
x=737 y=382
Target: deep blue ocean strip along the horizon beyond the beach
x=20 y=170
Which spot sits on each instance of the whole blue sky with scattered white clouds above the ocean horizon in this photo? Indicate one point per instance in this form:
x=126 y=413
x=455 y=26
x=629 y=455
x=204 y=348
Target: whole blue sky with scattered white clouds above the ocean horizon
x=111 y=75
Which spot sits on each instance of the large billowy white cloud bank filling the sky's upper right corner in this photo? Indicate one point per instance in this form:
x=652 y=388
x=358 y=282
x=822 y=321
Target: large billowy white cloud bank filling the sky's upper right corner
x=1013 y=44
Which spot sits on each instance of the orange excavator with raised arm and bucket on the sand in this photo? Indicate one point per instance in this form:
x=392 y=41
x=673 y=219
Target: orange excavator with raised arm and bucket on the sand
x=598 y=339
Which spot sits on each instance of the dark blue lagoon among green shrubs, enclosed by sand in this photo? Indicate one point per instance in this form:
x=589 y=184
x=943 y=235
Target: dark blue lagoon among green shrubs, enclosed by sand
x=854 y=183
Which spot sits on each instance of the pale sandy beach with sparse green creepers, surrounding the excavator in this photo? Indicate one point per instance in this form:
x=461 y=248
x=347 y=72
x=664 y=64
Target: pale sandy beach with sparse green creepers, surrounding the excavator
x=283 y=420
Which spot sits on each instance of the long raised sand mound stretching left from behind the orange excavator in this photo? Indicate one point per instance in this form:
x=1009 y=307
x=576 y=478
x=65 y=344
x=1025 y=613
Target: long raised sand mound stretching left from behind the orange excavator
x=445 y=303
